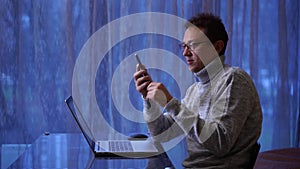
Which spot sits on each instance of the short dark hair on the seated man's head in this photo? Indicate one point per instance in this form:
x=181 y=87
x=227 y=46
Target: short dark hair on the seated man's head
x=213 y=27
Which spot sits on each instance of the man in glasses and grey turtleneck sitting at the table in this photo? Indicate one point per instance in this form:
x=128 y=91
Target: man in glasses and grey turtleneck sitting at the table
x=220 y=114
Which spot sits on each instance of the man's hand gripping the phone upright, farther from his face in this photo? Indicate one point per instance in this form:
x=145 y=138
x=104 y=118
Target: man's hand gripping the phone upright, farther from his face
x=142 y=79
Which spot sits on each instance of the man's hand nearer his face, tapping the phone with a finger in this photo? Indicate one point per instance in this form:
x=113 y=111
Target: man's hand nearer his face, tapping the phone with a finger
x=158 y=92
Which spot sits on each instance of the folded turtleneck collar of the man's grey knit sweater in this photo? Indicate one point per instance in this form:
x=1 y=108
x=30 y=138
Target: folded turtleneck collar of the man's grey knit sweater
x=210 y=70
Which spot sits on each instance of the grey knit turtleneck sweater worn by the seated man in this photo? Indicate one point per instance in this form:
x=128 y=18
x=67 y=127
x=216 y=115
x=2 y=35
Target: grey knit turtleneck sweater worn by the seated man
x=221 y=116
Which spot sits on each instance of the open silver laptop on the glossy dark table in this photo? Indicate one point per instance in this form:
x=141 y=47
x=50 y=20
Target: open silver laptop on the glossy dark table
x=112 y=148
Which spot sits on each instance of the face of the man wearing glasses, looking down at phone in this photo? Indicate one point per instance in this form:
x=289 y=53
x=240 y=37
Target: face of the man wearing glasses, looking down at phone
x=200 y=51
